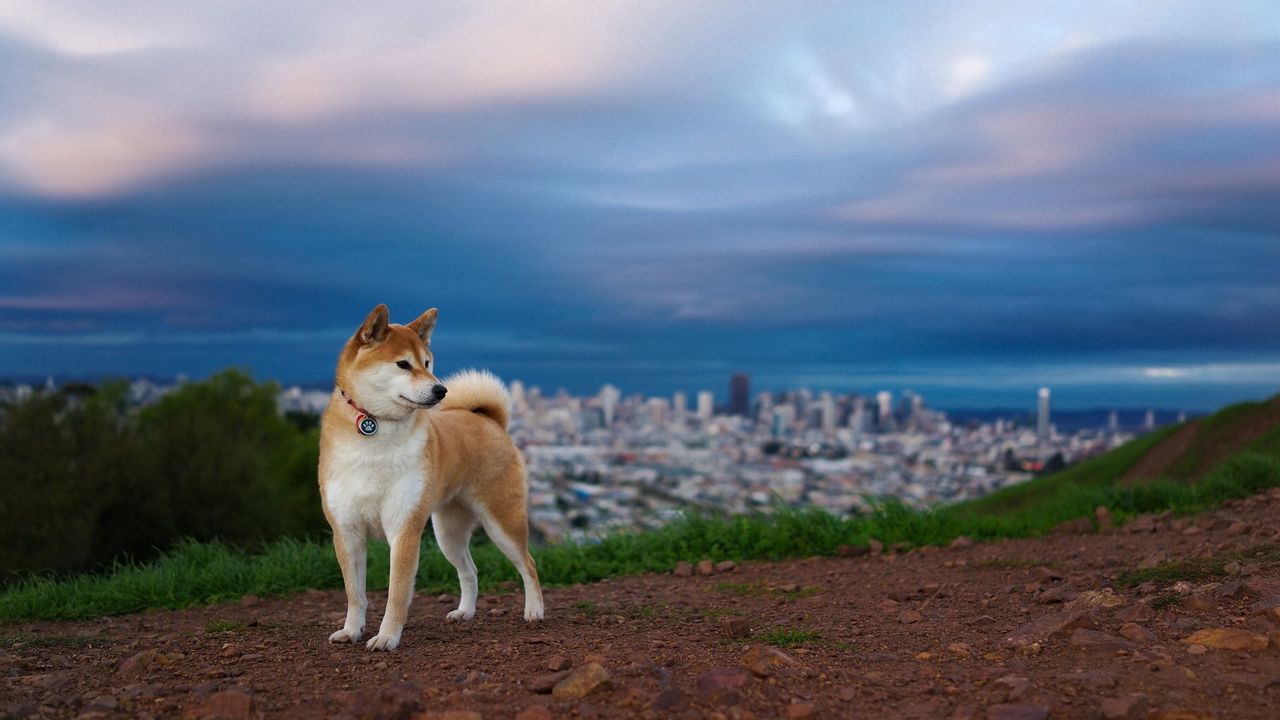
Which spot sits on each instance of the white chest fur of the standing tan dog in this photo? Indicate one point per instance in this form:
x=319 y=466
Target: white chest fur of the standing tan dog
x=376 y=482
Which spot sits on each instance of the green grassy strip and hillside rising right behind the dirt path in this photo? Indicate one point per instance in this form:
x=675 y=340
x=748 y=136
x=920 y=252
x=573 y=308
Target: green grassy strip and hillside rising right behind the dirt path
x=1183 y=470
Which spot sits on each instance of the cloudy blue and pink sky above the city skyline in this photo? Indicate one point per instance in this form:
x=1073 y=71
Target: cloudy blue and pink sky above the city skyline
x=966 y=199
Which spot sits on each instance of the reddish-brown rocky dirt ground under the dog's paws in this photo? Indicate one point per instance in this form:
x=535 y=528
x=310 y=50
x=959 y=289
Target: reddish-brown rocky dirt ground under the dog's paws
x=1018 y=630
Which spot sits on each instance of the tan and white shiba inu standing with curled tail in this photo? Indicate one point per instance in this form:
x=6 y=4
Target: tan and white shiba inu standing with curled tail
x=399 y=446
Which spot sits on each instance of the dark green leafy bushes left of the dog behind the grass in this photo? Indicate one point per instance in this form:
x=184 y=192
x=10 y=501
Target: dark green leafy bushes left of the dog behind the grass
x=88 y=482
